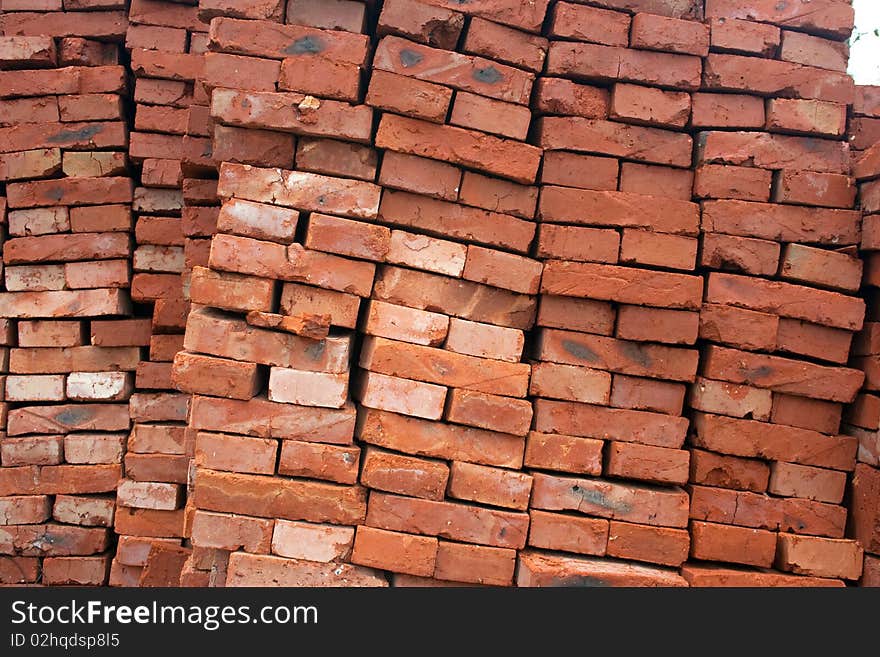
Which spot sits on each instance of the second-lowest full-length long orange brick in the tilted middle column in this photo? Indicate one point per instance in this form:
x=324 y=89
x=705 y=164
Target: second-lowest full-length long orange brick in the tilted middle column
x=439 y=440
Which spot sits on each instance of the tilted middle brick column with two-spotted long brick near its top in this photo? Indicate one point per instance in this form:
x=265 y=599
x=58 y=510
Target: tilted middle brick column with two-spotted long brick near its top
x=443 y=382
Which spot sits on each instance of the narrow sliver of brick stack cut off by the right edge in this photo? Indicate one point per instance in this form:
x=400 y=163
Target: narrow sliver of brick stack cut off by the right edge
x=862 y=419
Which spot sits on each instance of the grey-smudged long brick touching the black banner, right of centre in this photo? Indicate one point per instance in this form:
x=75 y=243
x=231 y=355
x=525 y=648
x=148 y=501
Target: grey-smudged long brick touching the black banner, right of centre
x=538 y=569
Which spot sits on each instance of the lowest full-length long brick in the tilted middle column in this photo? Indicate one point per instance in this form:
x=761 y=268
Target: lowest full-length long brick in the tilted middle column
x=459 y=522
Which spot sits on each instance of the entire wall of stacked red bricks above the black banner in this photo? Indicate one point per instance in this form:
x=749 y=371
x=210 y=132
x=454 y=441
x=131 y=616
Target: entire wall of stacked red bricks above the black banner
x=489 y=292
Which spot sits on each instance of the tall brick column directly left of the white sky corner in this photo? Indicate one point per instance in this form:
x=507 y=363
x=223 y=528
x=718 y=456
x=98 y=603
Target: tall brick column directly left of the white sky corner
x=779 y=245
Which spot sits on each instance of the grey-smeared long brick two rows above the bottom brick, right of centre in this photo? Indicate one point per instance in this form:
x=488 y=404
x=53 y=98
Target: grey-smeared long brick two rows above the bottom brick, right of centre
x=631 y=502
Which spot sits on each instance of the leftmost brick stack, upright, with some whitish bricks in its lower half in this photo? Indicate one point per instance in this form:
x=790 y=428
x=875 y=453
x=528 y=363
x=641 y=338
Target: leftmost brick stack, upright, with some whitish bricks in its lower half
x=70 y=352
